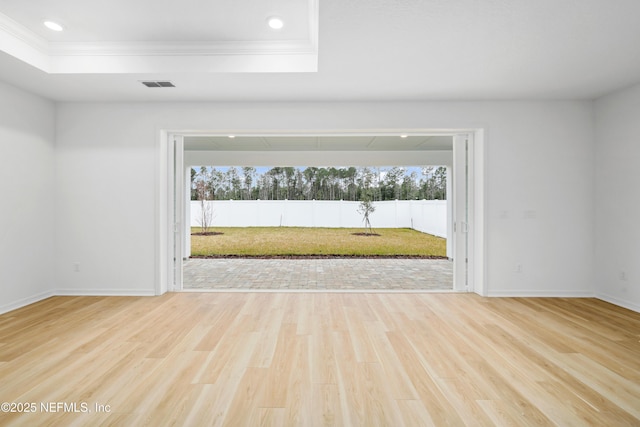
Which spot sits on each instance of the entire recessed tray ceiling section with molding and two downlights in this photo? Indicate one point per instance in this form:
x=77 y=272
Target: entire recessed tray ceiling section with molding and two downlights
x=145 y=36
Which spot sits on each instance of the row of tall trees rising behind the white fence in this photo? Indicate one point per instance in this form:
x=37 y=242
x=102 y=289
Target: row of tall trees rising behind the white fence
x=313 y=183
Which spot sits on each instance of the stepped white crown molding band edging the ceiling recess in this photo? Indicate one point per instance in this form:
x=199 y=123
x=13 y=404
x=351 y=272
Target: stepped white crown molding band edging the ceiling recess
x=160 y=57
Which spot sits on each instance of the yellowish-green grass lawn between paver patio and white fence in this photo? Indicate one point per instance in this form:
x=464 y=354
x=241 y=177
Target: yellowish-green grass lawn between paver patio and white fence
x=300 y=241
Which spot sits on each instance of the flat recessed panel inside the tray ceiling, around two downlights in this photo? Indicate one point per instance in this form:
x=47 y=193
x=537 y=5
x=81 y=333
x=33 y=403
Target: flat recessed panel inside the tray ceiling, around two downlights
x=140 y=20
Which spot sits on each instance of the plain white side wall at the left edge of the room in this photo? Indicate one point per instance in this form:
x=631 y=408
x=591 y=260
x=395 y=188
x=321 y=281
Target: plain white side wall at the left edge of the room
x=27 y=129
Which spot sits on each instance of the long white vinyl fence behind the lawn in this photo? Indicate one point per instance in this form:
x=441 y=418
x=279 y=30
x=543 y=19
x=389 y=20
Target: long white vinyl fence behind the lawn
x=428 y=216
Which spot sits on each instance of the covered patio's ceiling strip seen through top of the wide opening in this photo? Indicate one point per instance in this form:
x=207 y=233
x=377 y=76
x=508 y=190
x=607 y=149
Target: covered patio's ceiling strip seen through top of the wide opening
x=319 y=143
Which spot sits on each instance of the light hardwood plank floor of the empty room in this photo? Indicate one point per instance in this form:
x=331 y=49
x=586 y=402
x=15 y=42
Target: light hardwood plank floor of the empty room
x=322 y=359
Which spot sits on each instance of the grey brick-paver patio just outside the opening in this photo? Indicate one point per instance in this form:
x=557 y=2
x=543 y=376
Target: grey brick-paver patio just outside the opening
x=319 y=274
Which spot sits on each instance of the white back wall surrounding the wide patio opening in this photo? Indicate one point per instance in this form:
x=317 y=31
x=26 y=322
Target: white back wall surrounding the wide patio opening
x=540 y=178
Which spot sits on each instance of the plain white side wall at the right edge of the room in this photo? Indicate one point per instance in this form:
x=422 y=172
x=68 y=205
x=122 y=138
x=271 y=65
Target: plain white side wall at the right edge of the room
x=617 y=201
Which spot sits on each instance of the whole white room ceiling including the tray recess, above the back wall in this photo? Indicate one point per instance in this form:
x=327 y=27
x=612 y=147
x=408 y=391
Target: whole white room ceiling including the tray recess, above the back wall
x=339 y=50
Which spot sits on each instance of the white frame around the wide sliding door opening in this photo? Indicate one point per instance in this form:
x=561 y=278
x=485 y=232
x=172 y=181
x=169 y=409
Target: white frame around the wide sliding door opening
x=171 y=215
